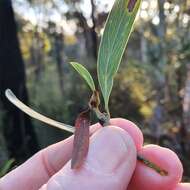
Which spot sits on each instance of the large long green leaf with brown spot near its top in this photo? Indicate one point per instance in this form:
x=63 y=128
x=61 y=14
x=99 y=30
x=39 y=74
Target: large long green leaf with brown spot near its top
x=116 y=34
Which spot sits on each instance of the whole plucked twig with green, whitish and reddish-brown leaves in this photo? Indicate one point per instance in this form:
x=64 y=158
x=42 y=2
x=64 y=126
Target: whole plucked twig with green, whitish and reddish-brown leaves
x=113 y=43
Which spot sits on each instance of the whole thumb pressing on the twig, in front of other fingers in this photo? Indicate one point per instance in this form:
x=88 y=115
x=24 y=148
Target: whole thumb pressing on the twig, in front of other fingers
x=109 y=164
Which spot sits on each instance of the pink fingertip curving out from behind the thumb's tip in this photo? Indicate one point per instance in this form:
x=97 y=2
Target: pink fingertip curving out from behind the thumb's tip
x=131 y=128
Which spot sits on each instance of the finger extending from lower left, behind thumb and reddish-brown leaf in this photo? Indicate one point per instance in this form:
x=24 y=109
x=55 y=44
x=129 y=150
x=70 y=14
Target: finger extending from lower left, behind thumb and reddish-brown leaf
x=37 y=170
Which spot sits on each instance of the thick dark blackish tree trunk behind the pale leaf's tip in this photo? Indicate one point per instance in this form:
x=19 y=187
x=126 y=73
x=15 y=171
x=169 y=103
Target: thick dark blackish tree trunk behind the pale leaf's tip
x=19 y=133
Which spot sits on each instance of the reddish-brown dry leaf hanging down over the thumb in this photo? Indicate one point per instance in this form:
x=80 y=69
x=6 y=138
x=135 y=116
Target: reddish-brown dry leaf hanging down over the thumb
x=81 y=139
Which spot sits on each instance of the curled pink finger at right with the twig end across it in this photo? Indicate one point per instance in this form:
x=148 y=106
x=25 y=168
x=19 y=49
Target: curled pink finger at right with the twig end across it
x=147 y=178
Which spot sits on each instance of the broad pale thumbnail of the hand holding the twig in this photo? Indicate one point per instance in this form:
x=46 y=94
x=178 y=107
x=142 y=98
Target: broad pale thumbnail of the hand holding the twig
x=108 y=149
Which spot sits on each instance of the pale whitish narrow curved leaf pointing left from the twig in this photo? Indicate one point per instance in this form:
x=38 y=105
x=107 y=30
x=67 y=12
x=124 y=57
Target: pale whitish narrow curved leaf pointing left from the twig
x=13 y=99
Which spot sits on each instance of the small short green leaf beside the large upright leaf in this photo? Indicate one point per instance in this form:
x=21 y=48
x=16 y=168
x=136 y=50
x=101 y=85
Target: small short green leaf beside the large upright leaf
x=85 y=74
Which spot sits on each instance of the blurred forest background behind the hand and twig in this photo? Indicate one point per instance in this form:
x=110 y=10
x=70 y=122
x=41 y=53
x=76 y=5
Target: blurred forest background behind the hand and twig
x=38 y=38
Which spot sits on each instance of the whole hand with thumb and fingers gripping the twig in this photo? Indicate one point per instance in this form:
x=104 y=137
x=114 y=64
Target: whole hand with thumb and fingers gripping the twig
x=110 y=164
